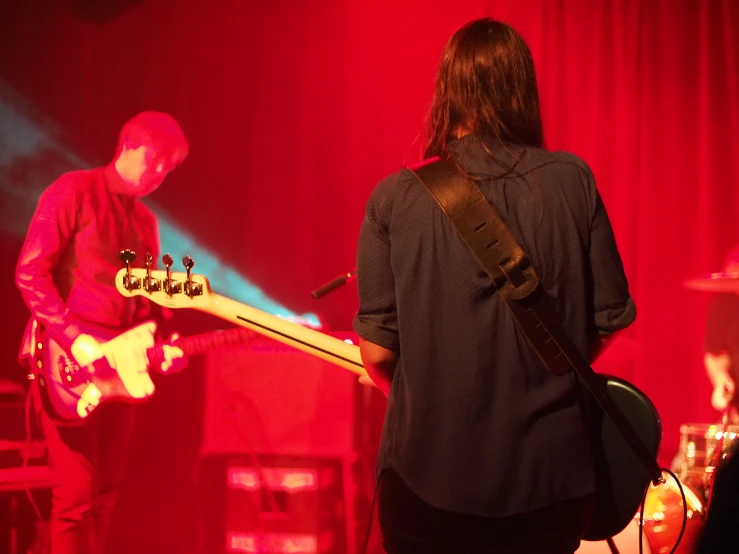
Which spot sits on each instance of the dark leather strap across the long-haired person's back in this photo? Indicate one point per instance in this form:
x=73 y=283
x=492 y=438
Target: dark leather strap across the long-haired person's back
x=517 y=283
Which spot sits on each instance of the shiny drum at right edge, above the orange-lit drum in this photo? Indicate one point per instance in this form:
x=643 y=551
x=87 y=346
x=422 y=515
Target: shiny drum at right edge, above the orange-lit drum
x=695 y=463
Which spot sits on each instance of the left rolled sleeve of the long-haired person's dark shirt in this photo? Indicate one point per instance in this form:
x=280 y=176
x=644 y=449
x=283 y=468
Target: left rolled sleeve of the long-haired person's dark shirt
x=377 y=318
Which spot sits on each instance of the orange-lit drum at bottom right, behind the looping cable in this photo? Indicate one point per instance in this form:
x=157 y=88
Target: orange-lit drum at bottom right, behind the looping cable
x=663 y=517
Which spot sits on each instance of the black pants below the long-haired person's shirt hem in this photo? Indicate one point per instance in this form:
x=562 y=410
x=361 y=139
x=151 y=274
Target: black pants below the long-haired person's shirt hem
x=410 y=525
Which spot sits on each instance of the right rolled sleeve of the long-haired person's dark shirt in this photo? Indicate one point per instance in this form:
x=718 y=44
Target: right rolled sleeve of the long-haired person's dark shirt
x=613 y=307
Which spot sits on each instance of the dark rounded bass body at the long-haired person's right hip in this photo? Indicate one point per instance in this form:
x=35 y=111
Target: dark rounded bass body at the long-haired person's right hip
x=621 y=478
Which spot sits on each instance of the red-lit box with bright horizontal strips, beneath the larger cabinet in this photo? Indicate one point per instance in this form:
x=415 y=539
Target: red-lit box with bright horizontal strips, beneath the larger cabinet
x=276 y=505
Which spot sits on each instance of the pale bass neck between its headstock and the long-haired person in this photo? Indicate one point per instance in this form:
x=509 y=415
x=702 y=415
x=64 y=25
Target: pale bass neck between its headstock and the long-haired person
x=326 y=347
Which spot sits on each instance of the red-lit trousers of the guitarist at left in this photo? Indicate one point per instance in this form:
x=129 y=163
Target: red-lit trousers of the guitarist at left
x=87 y=467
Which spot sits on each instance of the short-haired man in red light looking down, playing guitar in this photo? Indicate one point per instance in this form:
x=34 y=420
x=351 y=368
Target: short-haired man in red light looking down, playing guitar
x=65 y=274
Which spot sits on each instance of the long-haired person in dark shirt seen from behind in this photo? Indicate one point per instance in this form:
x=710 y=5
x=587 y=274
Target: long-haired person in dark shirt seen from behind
x=475 y=426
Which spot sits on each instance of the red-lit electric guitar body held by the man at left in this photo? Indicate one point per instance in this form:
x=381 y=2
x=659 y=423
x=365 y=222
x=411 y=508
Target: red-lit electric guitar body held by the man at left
x=70 y=393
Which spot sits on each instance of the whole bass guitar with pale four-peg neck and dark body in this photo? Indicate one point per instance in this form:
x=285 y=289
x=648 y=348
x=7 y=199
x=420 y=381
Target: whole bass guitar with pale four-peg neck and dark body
x=622 y=479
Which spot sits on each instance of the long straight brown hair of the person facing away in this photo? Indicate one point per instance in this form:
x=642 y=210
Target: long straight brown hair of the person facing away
x=486 y=84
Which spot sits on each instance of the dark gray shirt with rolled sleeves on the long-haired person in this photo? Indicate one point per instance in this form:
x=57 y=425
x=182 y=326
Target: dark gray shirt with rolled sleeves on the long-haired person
x=475 y=423
